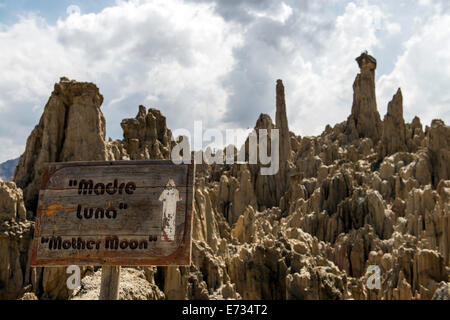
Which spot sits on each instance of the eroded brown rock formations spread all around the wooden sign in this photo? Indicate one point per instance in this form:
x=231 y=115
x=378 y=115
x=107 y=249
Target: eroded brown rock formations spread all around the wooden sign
x=365 y=192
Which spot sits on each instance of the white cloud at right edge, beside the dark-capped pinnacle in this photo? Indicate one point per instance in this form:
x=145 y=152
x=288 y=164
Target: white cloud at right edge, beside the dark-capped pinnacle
x=423 y=72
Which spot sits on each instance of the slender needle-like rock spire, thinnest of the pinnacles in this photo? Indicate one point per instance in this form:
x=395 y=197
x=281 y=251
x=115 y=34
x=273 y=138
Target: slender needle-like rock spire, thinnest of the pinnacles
x=281 y=124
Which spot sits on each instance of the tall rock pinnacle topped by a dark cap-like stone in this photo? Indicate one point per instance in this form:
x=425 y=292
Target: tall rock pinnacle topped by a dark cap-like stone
x=365 y=121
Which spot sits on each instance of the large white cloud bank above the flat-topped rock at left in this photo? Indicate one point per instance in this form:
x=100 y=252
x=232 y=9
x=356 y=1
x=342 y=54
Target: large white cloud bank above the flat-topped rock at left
x=163 y=54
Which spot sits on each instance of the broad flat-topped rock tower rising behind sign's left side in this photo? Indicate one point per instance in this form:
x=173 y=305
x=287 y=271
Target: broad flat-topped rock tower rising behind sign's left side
x=72 y=128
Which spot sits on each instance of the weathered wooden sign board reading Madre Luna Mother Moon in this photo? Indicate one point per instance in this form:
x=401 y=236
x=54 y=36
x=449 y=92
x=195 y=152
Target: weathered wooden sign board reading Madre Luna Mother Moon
x=114 y=213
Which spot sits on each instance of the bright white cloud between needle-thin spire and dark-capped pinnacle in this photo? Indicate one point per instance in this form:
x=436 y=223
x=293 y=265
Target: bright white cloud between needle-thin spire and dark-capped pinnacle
x=320 y=93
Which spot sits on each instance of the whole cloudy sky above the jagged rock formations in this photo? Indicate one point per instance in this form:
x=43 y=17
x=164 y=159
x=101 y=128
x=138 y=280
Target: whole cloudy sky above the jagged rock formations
x=218 y=60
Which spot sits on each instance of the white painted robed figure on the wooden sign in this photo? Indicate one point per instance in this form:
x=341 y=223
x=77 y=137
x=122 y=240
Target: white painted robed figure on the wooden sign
x=169 y=197
